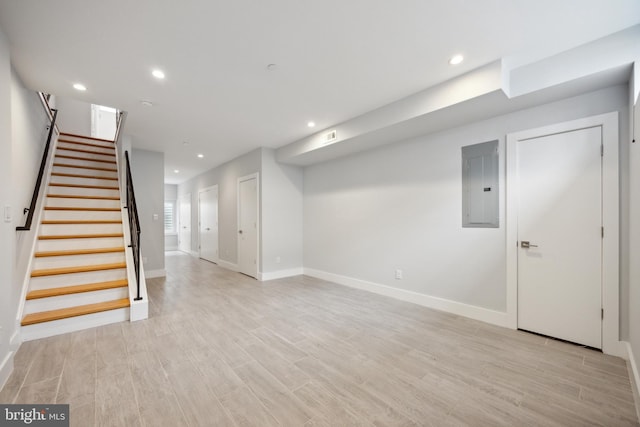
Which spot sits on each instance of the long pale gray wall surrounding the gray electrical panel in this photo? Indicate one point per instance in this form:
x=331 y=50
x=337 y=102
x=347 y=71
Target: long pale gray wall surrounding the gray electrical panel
x=398 y=207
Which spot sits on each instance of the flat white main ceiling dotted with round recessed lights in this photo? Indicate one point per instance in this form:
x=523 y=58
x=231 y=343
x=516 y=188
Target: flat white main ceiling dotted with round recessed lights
x=336 y=59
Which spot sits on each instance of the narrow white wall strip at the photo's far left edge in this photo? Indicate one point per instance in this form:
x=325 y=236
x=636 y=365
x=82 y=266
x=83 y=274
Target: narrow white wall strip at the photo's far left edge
x=8 y=306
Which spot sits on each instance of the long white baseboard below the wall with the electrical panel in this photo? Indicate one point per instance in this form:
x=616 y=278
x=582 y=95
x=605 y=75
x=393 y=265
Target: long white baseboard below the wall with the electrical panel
x=471 y=311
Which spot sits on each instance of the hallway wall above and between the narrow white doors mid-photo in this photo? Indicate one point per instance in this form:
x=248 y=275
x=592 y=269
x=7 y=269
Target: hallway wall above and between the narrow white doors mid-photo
x=226 y=177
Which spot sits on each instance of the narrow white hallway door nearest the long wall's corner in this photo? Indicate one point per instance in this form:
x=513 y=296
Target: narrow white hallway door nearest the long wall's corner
x=248 y=226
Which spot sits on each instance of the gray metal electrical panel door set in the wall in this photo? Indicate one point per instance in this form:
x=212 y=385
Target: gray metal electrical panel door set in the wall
x=480 y=185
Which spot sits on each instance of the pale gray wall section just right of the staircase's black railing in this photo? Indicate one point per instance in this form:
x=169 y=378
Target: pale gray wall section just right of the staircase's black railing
x=147 y=171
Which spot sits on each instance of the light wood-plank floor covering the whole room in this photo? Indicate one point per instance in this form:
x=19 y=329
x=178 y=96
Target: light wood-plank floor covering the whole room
x=222 y=349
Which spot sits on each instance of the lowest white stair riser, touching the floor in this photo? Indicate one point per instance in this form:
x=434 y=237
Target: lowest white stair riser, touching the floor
x=72 y=324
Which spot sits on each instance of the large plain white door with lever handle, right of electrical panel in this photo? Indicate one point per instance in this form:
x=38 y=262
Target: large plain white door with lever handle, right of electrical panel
x=560 y=235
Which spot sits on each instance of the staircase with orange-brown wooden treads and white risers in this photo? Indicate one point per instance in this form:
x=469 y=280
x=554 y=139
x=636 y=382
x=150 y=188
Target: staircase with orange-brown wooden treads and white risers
x=79 y=276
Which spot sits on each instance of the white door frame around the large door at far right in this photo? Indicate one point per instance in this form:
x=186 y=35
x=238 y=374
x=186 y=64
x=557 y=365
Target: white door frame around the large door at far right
x=611 y=343
